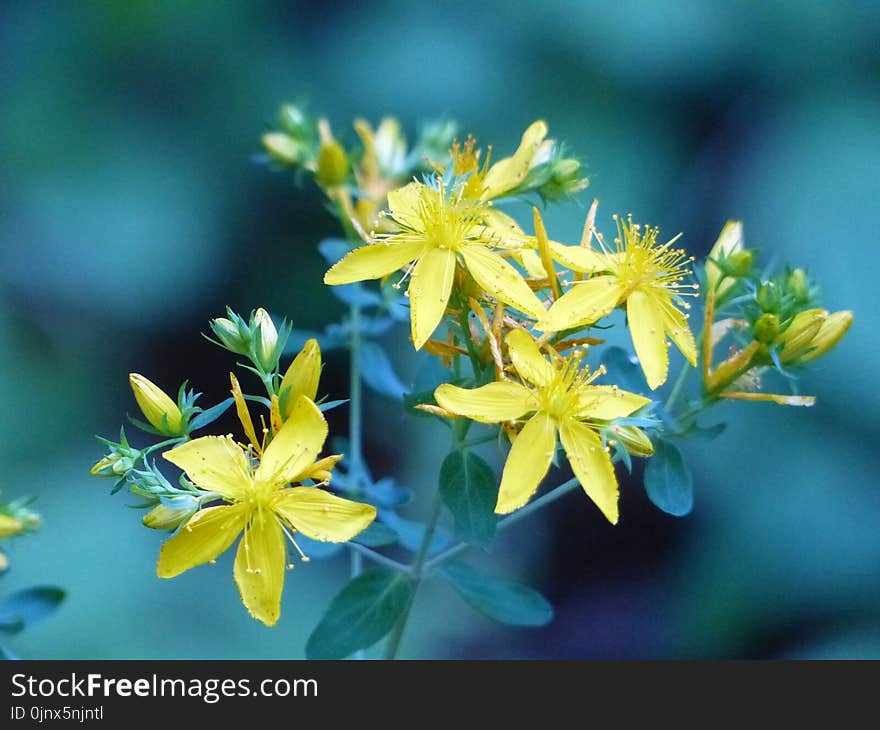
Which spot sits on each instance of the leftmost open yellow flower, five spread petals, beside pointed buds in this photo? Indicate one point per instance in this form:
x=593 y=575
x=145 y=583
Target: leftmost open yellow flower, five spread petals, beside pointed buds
x=261 y=507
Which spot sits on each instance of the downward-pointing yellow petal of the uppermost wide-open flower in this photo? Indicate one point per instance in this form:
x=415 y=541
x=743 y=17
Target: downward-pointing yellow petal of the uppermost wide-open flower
x=429 y=289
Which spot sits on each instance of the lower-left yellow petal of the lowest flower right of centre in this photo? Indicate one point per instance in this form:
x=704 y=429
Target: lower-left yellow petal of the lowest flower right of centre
x=527 y=464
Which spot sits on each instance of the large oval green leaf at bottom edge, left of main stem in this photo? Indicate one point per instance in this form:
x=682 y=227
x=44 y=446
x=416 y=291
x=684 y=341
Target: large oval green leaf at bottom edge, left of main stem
x=361 y=614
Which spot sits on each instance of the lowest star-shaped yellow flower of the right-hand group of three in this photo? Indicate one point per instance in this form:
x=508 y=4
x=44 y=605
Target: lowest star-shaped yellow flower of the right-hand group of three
x=562 y=400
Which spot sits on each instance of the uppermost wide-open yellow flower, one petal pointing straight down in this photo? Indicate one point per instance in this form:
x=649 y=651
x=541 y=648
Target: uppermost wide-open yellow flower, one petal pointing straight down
x=440 y=230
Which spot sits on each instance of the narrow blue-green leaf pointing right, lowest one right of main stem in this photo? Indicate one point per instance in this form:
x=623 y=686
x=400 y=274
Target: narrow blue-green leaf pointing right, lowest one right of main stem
x=504 y=601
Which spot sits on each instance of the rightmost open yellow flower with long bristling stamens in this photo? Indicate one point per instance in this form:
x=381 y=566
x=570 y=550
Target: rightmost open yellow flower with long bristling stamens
x=648 y=278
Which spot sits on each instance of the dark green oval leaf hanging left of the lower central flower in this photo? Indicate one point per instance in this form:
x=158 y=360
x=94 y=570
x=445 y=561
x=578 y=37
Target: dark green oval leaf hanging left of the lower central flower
x=469 y=490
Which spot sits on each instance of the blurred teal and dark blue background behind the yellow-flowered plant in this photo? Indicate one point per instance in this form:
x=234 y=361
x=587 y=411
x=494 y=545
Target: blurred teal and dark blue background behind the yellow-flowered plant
x=132 y=212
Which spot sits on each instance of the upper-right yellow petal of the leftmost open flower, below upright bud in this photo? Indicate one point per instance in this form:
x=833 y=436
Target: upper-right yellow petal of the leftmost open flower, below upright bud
x=295 y=446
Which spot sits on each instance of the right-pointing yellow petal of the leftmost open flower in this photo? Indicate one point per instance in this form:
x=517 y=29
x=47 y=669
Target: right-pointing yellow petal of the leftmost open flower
x=323 y=516
